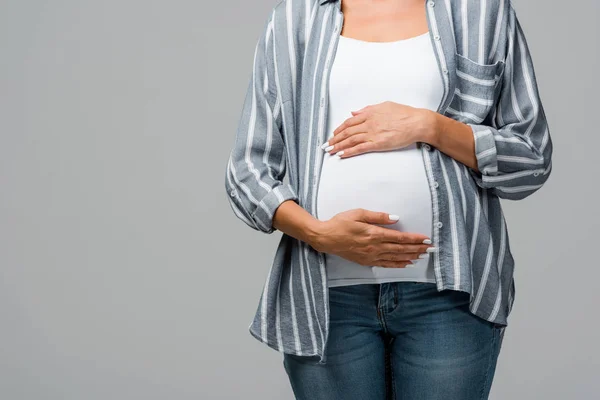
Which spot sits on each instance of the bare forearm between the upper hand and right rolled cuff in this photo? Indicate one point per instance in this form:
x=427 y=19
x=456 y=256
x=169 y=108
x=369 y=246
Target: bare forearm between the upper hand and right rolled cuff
x=453 y=138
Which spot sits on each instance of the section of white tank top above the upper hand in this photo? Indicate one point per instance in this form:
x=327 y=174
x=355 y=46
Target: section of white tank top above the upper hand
x=403 y=71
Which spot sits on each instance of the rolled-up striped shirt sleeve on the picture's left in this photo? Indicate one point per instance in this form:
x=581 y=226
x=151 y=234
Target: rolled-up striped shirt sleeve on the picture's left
x=257 y=162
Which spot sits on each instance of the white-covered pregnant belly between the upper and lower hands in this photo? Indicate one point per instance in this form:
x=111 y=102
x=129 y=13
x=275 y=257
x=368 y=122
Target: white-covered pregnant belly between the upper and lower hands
x=394 y=182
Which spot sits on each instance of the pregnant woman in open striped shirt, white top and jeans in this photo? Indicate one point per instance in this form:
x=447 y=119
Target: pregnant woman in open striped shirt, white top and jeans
x=400 y=124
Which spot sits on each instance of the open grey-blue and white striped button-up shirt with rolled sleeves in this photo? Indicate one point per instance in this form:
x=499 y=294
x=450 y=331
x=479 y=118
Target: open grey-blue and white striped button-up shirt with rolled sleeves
x=489 y=84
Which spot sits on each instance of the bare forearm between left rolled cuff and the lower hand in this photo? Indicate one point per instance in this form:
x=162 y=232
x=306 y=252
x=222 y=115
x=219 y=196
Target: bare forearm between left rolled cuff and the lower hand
x=295 y=221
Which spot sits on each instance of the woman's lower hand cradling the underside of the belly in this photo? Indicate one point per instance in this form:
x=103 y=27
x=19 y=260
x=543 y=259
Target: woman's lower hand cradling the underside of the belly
x=351 y=235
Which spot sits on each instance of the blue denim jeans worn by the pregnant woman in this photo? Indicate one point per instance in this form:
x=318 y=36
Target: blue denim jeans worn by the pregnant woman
x=400 y=340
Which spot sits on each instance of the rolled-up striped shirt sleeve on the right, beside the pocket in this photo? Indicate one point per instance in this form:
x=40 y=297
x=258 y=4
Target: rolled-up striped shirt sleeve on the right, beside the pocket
x=514 y=155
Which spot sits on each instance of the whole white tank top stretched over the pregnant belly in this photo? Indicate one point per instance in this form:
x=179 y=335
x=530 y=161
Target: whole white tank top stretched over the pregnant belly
x=393 y=182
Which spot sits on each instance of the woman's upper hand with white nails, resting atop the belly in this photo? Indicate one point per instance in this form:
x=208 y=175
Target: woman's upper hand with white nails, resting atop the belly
x=381 y=127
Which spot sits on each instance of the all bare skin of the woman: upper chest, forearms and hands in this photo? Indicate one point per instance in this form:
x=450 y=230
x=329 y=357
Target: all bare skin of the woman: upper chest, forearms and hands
x=378 y=127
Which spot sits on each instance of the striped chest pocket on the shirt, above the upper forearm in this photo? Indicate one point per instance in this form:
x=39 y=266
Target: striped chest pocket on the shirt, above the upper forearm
x=476 y=89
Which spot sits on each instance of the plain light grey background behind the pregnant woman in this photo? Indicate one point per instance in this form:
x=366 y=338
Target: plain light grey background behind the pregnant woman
x=124 y=274
